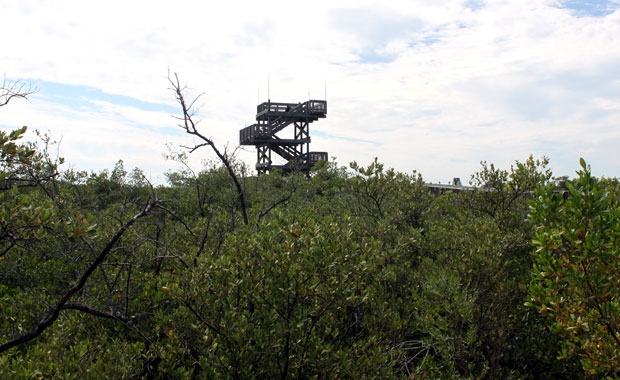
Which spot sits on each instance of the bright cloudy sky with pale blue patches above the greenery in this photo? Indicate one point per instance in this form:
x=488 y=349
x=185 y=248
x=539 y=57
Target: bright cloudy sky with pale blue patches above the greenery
x=433 y=86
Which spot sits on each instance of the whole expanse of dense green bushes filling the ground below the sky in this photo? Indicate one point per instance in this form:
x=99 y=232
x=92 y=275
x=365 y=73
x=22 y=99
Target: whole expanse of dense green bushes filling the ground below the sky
x=351 y=273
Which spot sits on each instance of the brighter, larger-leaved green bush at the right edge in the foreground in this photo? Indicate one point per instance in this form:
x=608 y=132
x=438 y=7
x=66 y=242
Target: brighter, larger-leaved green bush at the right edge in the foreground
x=576 y=276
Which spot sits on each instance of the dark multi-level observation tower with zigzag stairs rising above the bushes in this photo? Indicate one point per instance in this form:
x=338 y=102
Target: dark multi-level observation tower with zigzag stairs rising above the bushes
x=272 y=118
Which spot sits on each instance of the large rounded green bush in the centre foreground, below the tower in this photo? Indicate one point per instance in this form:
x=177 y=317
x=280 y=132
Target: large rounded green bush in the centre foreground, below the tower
x=277 y=303
